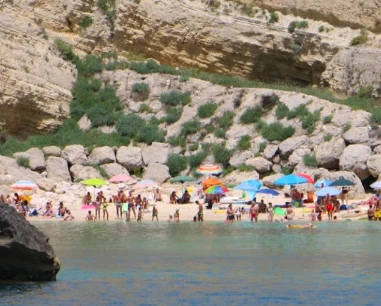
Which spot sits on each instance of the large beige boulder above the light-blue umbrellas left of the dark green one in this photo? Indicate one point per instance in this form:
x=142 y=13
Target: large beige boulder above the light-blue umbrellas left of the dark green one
x=328 y=153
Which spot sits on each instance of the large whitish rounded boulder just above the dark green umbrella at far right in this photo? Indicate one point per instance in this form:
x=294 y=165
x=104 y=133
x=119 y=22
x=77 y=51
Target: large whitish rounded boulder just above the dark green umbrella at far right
x=354 y=158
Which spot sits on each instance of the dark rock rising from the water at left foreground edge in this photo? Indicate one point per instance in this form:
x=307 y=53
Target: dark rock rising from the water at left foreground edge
x=25 y=252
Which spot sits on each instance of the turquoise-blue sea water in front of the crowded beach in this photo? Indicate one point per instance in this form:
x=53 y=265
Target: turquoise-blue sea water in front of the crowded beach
x=208 y=264
